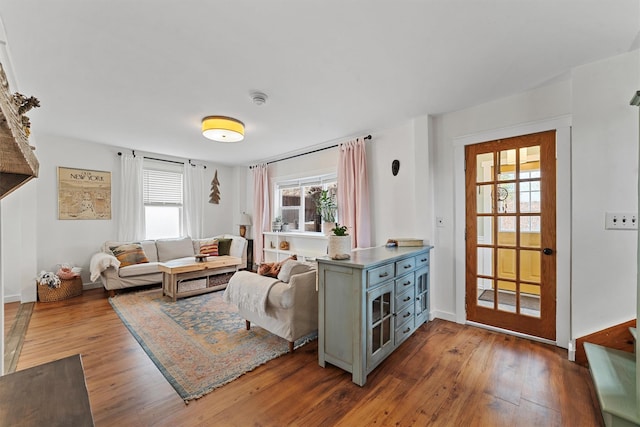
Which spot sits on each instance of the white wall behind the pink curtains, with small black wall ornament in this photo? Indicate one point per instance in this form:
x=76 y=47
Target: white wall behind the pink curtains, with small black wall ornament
x=400 y=205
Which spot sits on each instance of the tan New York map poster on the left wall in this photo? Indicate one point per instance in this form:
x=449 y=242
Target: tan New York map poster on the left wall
x=83 y=194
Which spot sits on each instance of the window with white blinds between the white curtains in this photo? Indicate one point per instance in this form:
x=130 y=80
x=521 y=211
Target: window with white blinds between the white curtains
x=162 y=193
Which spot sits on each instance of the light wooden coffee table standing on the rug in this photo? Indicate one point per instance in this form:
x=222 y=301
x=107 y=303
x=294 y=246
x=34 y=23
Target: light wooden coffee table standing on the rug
x=185 y=269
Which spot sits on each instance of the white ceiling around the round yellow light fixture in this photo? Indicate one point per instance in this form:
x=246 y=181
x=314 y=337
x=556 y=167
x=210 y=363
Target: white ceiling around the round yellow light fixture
x=142 y=74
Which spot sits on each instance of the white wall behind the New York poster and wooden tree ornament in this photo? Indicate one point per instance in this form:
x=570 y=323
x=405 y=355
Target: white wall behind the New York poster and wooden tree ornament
x=30 y=216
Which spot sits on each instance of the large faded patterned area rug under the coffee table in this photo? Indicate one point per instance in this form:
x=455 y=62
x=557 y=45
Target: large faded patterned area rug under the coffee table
x=198 y=343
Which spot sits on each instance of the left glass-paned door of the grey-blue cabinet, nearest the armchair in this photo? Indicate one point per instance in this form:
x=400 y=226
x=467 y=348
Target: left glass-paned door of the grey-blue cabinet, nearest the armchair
x=380 y=323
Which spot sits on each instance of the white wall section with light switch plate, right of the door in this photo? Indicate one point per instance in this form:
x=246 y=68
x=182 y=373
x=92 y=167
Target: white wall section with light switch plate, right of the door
x=605 y=178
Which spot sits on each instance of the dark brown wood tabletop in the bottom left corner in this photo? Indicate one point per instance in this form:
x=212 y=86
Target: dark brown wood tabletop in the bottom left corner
x=53 y=394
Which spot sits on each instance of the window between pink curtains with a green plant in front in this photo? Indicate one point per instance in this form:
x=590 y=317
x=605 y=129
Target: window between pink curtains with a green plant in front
x=296 y=201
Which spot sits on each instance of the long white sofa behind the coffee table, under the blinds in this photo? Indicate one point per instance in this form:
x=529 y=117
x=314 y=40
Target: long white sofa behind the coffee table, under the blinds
x=104 y=264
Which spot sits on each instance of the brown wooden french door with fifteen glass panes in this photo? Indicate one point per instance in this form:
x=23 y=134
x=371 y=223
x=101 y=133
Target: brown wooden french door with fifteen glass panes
x=511 y=234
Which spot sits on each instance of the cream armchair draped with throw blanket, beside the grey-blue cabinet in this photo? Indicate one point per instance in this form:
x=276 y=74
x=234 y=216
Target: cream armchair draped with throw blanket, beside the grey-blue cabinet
x=286 y=306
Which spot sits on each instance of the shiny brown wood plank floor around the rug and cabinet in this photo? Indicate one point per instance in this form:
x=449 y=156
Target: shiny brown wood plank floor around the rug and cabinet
x=444 y=375
